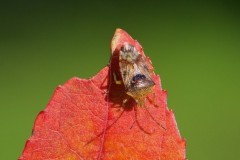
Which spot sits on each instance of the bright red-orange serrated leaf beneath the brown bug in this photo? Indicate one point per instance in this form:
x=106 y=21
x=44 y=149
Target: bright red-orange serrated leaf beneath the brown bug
x=85 y=119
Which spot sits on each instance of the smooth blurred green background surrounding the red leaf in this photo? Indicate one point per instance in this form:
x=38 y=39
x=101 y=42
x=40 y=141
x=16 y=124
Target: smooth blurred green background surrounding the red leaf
x=194 y=46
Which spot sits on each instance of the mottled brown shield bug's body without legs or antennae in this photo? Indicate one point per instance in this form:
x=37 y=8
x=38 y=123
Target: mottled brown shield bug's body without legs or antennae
x=135 y=73
